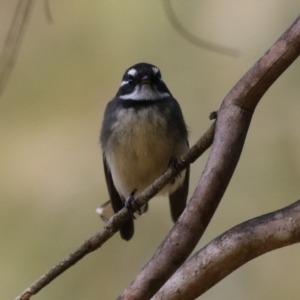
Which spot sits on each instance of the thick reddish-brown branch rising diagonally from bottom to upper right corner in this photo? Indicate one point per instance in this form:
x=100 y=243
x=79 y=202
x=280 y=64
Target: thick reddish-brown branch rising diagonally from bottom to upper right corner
x=233 y=121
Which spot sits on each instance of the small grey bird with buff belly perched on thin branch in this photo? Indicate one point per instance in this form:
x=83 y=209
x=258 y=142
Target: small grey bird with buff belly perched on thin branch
x=143 y=132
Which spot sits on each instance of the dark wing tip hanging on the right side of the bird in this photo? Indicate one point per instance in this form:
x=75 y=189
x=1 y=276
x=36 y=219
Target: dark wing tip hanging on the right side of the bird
x=178 y=198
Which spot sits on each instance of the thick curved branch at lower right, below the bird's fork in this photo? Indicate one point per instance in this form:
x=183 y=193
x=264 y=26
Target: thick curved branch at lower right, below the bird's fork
x=231 y=250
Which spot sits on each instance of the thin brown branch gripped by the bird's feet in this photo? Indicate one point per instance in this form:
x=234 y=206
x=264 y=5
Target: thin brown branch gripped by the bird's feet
x=115 y=222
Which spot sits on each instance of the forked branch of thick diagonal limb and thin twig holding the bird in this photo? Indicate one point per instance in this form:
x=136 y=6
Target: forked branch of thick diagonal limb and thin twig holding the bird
x=232 y=125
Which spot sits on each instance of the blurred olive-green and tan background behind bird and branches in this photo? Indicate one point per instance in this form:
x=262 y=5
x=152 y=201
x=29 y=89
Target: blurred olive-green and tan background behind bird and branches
x=51 y=177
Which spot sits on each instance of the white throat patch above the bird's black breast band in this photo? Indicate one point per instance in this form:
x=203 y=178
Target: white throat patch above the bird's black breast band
x=145 y=92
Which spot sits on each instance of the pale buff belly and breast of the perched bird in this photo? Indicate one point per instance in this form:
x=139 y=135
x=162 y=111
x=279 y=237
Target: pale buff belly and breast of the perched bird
x=139 y=150
